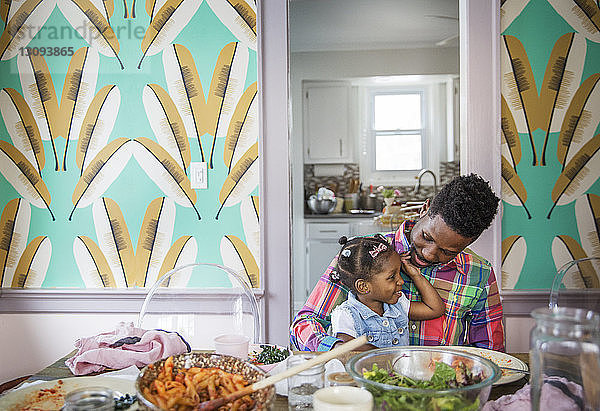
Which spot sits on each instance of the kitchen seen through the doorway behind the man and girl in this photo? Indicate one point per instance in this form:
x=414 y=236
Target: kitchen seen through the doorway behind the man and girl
x=336 y=69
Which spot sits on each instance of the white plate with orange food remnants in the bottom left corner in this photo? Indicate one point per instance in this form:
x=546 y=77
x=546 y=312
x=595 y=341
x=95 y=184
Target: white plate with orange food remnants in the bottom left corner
x=28 y=396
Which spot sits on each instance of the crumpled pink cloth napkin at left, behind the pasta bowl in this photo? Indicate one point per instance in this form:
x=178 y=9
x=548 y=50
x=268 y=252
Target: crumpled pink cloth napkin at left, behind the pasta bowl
x=123 y=347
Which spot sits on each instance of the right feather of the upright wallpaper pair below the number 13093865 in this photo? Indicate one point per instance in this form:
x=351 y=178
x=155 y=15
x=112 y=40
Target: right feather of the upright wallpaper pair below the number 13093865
x=78 y=91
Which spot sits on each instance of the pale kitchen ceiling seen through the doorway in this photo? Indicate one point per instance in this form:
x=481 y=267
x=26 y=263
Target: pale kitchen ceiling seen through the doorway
x=319 y=25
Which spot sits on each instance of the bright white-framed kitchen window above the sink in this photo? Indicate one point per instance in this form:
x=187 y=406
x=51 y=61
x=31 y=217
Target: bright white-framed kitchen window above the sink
x=406 y=124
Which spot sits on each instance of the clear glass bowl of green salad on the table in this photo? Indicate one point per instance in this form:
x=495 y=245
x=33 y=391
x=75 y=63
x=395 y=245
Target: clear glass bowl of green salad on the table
x=424 y=378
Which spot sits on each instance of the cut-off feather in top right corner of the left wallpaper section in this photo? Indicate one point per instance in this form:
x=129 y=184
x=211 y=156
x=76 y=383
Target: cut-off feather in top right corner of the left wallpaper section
x=239 y=17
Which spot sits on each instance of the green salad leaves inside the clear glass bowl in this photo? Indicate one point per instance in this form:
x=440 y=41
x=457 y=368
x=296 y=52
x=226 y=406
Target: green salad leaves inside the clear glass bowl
x=444 y=377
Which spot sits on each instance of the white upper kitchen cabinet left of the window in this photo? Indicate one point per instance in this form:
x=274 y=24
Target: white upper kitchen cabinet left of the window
x=328 y=135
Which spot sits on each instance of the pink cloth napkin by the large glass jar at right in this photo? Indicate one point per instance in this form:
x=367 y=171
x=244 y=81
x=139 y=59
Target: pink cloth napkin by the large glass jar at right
x=552 y=398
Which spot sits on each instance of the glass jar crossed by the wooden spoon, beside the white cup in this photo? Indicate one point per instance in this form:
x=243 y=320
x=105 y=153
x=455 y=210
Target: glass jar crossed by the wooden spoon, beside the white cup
x=303 y=385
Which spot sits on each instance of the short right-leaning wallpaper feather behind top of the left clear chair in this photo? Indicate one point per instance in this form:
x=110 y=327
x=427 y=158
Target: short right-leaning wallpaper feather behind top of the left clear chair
x=182 y=252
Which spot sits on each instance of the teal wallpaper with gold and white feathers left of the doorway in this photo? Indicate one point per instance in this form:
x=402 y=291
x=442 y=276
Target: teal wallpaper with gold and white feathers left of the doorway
x=105 y=107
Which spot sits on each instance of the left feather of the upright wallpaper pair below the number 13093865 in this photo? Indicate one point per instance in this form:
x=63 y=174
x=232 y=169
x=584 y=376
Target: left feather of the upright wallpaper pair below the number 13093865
x=38 y=91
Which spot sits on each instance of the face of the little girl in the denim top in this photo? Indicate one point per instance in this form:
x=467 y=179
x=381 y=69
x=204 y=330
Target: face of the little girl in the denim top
x=386 y=285
